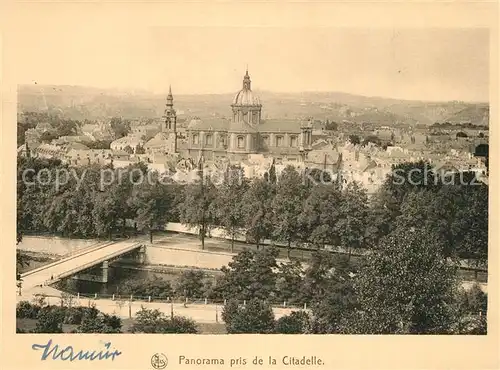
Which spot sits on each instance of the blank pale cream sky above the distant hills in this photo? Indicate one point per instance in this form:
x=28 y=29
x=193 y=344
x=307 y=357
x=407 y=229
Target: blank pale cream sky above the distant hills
x=421 y=64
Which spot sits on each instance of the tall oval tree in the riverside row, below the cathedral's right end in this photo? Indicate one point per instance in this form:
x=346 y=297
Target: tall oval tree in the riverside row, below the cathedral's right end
x=287 y=205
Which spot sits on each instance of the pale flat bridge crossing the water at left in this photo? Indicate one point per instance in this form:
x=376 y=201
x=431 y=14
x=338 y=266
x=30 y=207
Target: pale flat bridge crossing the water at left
x=76 y=265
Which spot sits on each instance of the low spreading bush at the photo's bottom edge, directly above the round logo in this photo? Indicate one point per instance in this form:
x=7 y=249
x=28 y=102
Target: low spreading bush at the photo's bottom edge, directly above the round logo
x=154 y=321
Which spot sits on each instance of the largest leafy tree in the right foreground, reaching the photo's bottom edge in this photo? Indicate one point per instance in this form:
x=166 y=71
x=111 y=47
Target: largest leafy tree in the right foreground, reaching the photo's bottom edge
x=407 y=286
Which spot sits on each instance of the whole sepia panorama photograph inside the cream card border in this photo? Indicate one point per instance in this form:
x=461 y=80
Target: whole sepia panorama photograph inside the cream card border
x=253 y=180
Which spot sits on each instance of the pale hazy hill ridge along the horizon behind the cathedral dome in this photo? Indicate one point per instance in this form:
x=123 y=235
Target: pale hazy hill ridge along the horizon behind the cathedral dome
x=79 y=102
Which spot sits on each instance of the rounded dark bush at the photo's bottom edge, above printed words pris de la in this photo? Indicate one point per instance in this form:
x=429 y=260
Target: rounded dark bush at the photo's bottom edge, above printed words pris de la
x=255 y=317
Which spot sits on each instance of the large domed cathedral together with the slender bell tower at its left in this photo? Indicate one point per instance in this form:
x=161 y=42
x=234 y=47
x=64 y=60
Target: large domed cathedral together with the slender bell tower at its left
x=244 y=133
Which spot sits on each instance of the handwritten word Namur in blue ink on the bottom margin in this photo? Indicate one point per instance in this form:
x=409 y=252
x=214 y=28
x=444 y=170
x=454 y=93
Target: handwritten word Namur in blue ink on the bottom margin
x=70 y=354
